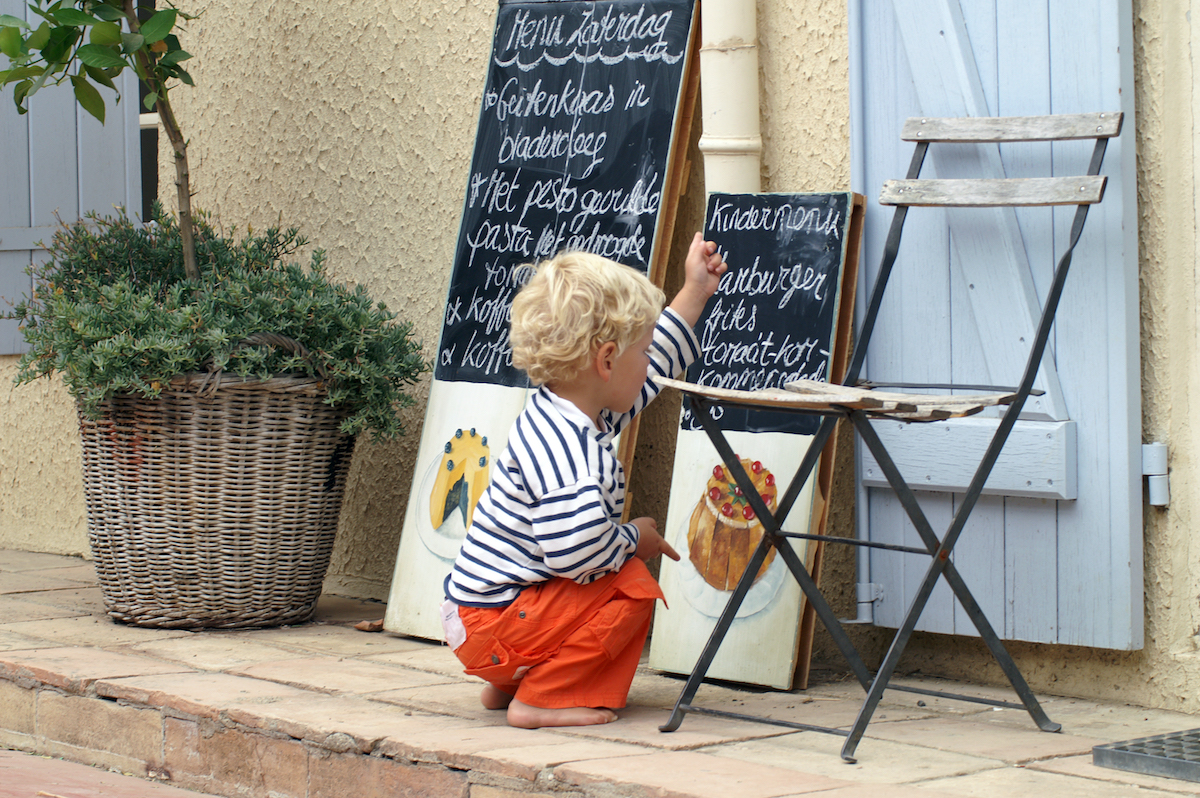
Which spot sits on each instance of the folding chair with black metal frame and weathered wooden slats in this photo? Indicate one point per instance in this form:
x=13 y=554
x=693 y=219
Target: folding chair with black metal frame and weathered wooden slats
x=859 y=406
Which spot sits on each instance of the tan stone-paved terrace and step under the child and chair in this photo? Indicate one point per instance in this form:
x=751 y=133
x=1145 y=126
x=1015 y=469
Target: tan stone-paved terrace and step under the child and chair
x=327 y=710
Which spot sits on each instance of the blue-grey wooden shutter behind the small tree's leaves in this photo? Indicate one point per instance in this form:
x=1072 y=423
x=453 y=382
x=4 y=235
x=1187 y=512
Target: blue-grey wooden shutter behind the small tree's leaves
x=58 y=160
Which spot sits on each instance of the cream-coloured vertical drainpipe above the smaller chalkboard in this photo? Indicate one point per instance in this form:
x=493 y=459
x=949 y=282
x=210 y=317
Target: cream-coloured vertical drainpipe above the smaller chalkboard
x=729 y=80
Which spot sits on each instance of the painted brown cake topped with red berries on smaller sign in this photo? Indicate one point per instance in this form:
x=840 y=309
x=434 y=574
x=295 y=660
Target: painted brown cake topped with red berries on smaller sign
x=724 y=532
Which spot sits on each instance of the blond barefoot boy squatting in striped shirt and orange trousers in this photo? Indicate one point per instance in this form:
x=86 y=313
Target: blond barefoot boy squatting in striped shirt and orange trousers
x=550 y=599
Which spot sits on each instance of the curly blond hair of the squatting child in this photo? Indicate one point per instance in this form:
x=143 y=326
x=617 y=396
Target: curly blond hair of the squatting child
x=575 y=303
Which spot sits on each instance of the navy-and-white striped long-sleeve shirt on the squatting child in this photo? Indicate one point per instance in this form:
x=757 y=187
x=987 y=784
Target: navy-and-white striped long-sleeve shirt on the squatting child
x=555 y=503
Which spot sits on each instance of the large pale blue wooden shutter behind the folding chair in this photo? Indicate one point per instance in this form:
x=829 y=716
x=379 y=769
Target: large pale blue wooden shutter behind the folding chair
x=1053 y=554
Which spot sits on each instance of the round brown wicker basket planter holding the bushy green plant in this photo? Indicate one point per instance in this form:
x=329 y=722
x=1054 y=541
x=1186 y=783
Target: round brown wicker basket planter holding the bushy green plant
x=217 y=505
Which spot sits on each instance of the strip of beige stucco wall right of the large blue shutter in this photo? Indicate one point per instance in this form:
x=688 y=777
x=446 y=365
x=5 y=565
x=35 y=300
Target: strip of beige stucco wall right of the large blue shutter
x=1169 y=176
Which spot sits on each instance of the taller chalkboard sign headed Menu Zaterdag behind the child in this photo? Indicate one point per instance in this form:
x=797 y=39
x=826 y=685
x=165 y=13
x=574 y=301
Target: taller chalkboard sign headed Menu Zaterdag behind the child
x=575 y=151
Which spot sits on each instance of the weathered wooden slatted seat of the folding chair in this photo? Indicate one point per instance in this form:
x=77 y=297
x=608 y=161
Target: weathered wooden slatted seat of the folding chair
x=818 y=397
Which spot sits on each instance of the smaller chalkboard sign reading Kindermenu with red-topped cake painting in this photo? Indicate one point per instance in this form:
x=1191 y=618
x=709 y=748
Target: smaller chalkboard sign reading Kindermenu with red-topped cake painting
x=776 y=319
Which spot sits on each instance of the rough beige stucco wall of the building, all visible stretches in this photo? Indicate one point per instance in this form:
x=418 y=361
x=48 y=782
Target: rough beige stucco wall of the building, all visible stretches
x=356 y=122
